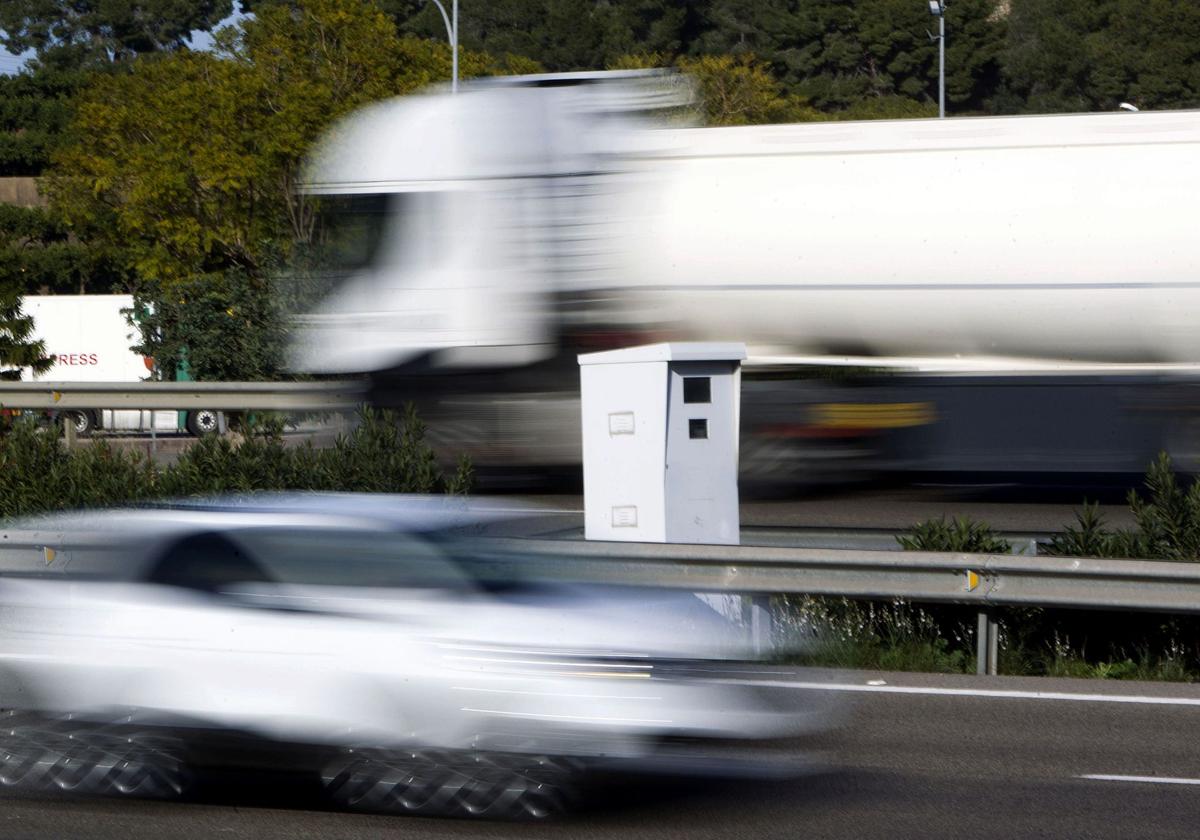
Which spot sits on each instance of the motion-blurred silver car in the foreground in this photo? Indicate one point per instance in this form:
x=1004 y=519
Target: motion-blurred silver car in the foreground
x=377 y=641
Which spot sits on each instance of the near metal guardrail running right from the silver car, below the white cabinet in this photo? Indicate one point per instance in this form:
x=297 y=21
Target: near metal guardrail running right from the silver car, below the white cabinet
x=985 y=581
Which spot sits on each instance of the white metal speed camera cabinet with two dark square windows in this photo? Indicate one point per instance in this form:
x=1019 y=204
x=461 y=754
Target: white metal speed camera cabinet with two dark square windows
x=661 y=443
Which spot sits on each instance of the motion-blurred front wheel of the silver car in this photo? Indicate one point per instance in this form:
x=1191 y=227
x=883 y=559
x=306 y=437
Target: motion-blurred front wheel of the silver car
x=452 y=784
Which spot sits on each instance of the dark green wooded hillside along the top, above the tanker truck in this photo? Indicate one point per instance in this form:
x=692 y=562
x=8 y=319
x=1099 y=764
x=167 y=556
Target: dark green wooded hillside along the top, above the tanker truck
x=867 y=58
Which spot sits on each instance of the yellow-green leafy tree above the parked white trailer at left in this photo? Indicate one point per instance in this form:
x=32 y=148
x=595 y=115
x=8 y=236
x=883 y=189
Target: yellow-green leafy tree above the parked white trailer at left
x=159 y=163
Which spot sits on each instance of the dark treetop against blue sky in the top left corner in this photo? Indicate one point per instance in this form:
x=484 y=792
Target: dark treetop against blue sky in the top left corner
x=95 y=32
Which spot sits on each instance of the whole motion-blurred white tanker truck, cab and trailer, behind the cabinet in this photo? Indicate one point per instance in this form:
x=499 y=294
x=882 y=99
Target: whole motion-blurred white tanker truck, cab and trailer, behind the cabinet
x=499 y=233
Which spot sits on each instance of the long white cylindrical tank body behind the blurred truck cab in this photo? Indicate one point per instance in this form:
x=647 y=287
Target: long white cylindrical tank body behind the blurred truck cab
x=1055 y=238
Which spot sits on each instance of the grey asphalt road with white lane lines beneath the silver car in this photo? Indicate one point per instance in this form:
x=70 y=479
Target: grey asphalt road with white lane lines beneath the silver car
x=917 y=758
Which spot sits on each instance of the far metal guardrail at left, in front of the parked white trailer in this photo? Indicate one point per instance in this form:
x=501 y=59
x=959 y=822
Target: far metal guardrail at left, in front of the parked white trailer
x=226 y=397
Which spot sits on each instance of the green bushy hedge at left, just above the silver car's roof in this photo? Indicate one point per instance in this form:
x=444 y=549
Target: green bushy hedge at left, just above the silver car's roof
x=385 y=453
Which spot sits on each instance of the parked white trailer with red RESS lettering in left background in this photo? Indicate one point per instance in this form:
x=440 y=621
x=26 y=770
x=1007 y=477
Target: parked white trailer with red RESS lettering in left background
x=91 y=339
